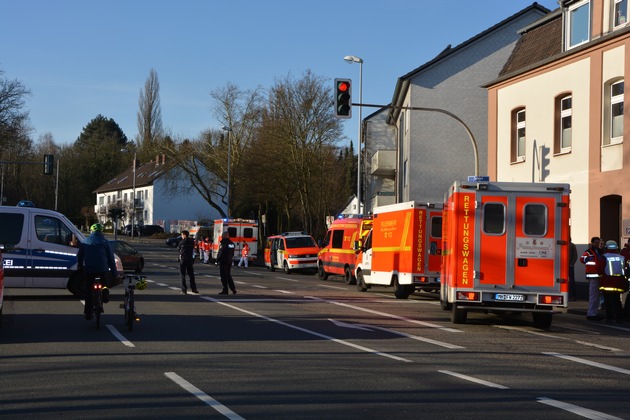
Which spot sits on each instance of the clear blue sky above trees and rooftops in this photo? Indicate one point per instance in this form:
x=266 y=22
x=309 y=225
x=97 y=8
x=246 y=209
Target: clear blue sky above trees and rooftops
x=82 y=58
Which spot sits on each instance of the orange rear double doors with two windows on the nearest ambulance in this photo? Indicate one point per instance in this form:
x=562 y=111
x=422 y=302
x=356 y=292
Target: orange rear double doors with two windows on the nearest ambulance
x=517 y=242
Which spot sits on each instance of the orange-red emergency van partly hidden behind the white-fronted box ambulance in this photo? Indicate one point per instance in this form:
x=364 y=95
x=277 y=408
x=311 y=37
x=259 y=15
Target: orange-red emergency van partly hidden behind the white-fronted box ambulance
x=337 y=255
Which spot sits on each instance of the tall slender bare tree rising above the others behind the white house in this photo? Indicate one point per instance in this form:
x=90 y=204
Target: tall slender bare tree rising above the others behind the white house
x=150 y=130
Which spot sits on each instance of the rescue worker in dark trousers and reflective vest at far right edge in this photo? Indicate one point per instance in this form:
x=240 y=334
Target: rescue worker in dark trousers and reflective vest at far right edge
x=613 y=282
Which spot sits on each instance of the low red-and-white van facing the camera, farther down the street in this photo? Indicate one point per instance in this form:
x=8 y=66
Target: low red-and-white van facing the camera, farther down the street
x=291 y=251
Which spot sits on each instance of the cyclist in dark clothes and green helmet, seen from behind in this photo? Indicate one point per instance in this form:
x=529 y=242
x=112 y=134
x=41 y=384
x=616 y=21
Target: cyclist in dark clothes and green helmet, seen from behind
x=95 y=259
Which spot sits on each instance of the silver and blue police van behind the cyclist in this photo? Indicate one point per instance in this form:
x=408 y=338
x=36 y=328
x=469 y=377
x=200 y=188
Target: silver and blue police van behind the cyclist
x=40 y=250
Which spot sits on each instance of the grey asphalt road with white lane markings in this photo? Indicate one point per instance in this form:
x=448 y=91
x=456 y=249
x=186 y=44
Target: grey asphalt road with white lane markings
x=290 y=346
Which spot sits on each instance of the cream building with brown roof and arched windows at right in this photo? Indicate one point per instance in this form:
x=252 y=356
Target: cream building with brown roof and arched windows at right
x=556 y=113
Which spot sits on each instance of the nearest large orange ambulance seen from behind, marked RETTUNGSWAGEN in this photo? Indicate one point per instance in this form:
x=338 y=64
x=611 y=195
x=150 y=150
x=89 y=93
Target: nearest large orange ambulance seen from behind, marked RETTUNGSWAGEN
x=505 y=248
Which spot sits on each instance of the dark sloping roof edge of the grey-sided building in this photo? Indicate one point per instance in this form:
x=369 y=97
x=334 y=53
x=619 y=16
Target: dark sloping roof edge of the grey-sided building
x=403 y=82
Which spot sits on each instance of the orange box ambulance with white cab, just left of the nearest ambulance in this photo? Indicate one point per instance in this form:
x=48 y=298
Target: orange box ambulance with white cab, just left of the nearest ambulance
x=403 y=249
